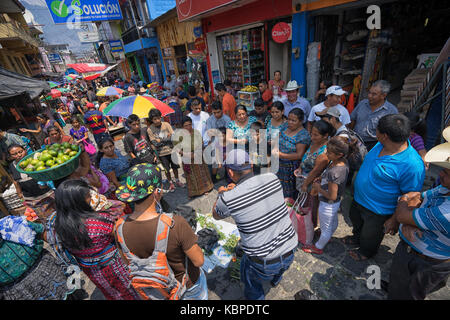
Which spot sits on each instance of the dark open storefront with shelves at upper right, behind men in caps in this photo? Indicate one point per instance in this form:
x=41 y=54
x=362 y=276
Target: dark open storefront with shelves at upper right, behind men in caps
x=354 y=57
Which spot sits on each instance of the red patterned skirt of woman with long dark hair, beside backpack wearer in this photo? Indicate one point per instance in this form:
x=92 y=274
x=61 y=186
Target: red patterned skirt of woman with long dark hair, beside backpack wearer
x=113 y=280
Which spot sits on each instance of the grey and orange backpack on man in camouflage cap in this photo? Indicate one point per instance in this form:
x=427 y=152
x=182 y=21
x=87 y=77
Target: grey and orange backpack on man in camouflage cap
x=152 y=278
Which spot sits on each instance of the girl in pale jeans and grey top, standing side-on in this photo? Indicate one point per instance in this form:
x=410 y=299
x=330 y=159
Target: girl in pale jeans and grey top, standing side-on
x=330 y=190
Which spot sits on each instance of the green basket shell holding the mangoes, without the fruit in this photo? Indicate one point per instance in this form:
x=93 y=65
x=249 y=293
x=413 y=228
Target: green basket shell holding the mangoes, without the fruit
x=55 y=173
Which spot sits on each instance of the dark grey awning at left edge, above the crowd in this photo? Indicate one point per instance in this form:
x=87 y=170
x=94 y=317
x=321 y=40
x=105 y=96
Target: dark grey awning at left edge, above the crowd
x=14 y=84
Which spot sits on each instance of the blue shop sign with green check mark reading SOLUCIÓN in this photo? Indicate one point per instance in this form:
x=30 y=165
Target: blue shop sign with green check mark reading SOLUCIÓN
x=66 y=11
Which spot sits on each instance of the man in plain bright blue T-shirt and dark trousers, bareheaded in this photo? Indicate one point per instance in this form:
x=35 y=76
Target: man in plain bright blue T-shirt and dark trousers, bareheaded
x=390 y=169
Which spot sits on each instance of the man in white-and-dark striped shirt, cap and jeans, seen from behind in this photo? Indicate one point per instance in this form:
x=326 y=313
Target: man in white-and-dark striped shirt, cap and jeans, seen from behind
x=256 y=204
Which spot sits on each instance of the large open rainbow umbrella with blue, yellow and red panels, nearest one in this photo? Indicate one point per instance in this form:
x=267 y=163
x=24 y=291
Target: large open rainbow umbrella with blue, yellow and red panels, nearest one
x=138 y=105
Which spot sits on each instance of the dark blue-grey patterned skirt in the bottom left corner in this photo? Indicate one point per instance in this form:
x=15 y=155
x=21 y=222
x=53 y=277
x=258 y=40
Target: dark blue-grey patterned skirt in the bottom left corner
x=44 y=281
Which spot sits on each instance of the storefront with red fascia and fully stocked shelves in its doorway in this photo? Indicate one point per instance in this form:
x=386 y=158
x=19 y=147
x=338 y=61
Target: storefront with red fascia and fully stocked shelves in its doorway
x=239 y=40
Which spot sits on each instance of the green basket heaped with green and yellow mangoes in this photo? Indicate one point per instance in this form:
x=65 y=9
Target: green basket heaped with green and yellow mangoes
x=52 y=162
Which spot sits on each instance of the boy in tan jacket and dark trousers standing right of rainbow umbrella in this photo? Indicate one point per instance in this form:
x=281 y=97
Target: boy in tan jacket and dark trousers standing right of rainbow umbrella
x=160 y=134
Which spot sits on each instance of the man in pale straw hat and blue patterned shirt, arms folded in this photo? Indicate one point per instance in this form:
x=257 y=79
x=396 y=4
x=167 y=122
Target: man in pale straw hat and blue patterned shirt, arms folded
x=421 y=263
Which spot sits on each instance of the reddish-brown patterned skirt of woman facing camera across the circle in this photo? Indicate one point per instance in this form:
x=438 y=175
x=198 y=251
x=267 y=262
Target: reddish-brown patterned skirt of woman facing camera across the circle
x=198 y=179
